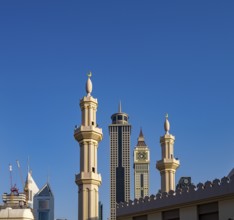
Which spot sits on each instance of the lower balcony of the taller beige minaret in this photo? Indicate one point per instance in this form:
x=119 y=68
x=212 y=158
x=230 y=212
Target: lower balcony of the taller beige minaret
x=88 y=178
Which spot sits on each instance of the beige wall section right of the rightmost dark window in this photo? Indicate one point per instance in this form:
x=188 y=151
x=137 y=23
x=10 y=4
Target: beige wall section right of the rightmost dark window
x=226 y=209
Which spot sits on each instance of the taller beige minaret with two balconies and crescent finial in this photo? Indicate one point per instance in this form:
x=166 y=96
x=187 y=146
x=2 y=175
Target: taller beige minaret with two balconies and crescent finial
x=88 y=135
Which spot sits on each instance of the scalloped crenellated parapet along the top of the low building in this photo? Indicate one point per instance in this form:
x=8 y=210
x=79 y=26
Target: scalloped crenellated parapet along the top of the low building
x=209 y=191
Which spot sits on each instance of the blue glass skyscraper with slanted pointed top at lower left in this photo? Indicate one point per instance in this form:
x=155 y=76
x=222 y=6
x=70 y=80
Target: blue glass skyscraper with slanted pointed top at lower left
x=43 y=204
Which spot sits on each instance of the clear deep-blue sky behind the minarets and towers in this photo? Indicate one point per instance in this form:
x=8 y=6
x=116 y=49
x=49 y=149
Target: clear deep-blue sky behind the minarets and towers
x=157 y=57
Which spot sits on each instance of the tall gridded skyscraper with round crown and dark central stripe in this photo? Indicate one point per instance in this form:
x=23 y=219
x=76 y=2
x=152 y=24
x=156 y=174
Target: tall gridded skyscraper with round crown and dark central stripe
x=120 y=131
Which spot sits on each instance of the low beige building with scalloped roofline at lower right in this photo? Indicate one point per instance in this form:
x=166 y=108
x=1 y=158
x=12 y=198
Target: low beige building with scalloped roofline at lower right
x=213 y=200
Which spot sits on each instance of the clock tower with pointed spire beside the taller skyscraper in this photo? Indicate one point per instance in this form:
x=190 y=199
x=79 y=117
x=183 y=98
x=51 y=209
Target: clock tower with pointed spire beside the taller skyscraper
x=141 y=168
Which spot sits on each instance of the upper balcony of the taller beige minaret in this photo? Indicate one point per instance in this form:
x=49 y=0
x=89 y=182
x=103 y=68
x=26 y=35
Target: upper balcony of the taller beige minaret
x=88 y=132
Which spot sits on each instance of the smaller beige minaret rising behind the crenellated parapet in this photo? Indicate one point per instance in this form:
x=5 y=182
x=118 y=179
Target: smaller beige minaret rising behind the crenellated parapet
x=168 y=164
